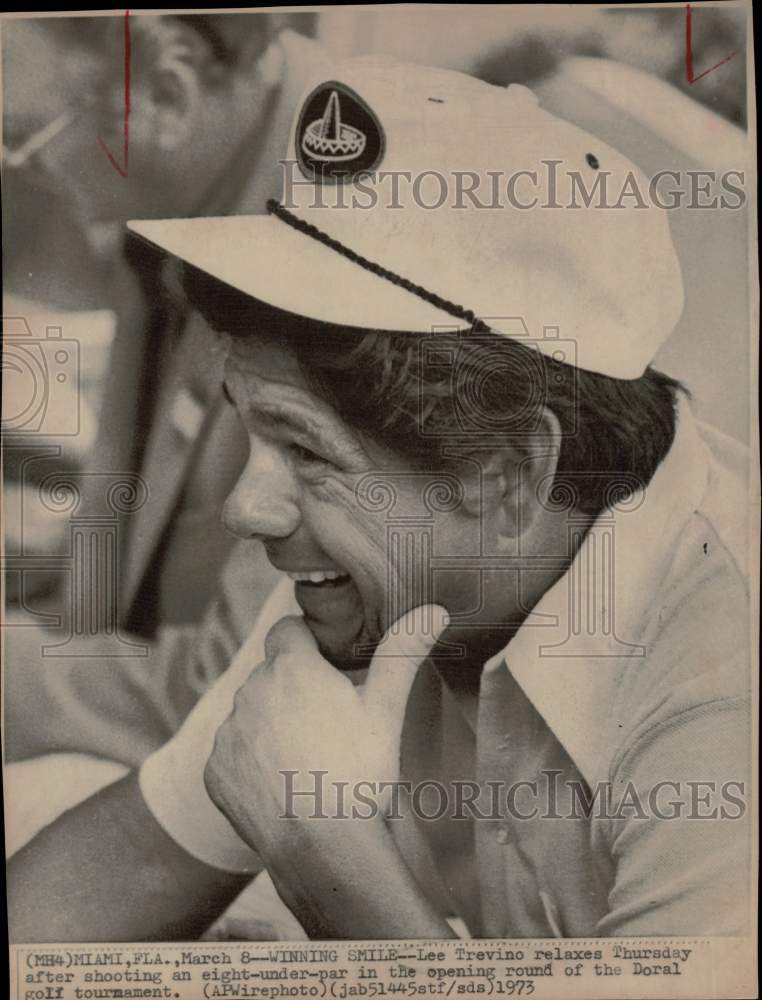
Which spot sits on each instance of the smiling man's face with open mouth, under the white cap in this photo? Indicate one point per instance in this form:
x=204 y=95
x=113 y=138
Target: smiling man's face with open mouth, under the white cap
x=343 y=516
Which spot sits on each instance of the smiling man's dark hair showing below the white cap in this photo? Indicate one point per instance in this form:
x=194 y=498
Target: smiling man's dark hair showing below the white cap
x=412 y=391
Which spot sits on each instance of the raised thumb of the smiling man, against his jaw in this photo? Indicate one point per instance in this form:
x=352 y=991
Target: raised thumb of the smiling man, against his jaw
x=396 y=661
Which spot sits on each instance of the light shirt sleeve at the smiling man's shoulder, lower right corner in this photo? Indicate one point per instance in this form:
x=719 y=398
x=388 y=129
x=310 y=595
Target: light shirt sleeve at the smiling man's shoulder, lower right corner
x=678 y=833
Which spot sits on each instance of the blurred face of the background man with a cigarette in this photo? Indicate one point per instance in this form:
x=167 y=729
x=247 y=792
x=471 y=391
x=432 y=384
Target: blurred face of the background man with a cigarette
x=79 y=94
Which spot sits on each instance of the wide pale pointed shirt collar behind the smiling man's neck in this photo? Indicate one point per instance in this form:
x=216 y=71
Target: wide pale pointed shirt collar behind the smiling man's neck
x=572 y=675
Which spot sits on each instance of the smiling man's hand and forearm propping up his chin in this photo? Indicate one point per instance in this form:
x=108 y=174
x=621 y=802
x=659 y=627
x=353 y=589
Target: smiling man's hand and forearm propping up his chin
x=342 y=876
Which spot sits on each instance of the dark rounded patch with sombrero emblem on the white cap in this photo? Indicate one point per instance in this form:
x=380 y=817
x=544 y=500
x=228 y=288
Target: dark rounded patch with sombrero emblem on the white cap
x=337 y=135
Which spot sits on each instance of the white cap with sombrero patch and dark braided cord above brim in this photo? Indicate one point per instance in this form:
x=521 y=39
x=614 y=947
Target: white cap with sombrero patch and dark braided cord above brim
x=606 y=277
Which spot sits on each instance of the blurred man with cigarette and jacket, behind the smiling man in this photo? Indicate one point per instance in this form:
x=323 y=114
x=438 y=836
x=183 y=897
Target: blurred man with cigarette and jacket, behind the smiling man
x=212 y=98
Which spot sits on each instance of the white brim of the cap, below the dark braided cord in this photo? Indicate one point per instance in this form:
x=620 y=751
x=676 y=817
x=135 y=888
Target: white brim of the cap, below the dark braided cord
x=268 y=260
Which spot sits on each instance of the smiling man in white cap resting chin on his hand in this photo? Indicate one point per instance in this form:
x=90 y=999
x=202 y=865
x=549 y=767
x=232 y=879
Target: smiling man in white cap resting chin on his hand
x=512 y=575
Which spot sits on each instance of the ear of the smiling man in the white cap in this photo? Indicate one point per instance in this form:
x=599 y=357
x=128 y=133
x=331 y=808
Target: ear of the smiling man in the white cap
x=523 y=474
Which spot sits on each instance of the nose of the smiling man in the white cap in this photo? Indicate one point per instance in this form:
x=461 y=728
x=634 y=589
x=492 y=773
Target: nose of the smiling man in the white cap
x=264 y=501
